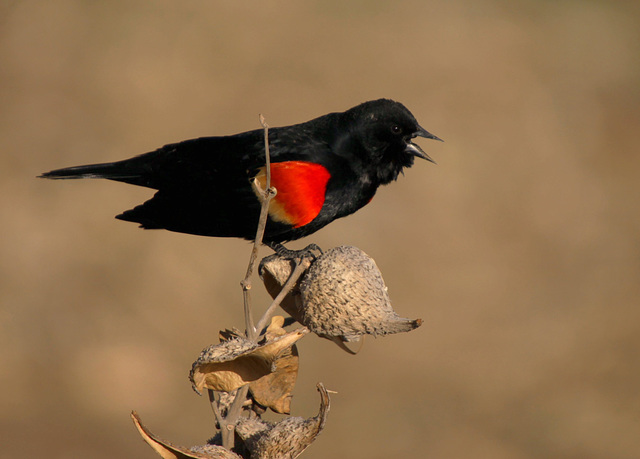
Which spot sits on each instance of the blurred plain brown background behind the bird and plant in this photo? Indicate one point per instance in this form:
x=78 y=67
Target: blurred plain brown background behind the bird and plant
x=520 y=250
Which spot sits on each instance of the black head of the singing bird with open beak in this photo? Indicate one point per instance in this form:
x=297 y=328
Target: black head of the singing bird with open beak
x=386 y=130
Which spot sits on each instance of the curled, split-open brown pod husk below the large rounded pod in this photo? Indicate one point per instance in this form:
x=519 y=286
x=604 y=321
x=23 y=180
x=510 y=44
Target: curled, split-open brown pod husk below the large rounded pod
x=236 y=362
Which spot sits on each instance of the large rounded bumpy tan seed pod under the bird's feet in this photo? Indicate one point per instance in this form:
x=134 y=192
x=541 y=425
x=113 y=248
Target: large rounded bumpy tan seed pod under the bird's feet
x=341 y=297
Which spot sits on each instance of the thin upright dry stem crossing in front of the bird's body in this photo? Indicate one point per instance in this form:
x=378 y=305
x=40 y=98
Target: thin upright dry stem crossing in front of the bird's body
x=267 y=195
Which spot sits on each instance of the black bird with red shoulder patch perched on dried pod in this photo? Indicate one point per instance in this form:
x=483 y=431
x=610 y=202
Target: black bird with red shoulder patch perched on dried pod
x=323 y=169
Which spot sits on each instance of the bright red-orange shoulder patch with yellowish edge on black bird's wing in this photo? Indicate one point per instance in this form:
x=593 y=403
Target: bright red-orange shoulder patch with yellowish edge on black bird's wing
x=301 y=188
